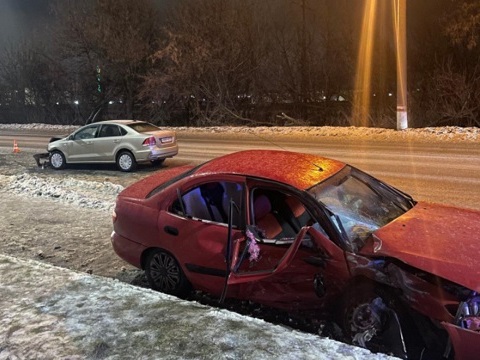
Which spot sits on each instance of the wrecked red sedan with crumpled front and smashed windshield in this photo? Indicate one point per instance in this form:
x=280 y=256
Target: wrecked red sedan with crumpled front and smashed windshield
x=312 y=235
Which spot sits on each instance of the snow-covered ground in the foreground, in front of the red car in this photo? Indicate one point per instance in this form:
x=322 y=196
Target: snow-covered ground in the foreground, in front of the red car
x=54 y=313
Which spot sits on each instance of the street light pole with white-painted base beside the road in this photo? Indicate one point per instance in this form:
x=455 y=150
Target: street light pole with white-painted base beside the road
x=400 y=16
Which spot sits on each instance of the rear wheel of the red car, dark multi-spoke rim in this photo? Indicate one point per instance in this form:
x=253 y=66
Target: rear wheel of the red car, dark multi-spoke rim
x=165 y=274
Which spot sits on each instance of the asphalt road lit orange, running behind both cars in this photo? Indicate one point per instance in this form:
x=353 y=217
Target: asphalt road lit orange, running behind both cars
x=442 y=172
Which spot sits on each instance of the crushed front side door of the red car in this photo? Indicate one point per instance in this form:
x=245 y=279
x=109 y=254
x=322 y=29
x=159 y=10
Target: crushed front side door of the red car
x=287 y=260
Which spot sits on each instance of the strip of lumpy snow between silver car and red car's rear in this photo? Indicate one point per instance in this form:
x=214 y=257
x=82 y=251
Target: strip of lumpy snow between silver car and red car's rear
x=81 y=193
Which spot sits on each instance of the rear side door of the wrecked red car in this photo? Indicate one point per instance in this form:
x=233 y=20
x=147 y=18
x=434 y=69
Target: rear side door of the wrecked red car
x=196 y=229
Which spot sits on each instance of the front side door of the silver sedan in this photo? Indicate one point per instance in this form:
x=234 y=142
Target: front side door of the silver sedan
x=81 y=146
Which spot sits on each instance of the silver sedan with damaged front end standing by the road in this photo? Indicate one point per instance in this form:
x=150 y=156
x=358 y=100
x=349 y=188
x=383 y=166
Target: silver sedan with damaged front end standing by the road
x=123 y=142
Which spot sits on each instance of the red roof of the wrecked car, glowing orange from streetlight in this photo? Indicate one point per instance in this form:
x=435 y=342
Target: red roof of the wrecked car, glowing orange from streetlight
x=295 y=169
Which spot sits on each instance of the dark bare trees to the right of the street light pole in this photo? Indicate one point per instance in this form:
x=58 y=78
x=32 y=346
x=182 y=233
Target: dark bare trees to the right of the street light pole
x=445 y=77
